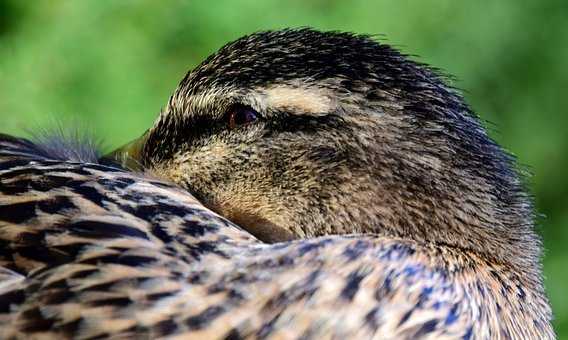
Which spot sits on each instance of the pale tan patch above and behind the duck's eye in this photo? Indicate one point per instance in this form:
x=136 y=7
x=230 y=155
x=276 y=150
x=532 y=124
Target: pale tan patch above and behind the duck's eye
x=311 y=101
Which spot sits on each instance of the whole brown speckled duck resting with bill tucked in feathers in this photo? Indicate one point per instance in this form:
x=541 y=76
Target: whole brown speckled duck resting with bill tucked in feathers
x=379 y=207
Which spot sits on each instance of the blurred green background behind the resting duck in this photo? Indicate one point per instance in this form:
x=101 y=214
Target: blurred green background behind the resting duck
x=109 y=66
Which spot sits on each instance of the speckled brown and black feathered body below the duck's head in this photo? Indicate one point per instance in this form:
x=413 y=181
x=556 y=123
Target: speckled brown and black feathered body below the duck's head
x=90 y=250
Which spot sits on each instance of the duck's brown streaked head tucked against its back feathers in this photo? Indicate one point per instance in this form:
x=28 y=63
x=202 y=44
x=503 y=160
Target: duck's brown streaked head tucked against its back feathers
x=300 y=133
